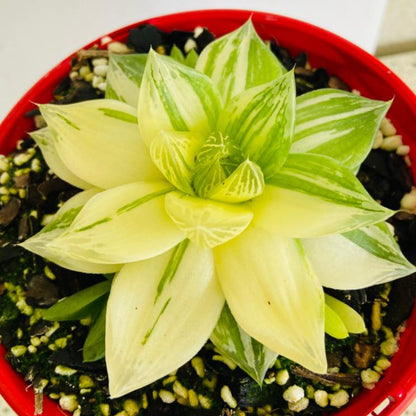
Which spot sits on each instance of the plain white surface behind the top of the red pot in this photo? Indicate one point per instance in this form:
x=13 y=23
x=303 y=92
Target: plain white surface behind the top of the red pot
x=37 y=34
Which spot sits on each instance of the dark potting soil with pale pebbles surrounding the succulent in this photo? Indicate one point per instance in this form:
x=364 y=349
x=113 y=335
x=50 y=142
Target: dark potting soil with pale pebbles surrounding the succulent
x=48 y=354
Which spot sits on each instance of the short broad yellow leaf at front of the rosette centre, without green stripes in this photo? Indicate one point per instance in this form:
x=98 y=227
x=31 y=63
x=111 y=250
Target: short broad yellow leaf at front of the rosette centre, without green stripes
x=207 y=223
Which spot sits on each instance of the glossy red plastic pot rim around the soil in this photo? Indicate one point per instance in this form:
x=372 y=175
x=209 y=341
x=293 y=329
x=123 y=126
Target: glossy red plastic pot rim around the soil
x=359 y=69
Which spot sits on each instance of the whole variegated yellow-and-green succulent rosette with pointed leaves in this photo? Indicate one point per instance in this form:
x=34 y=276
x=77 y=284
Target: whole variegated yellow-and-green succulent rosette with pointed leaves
x=216 y=184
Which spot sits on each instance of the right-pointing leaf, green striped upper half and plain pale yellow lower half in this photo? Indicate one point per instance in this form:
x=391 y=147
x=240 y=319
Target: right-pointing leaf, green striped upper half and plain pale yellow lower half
x=313 y=196
